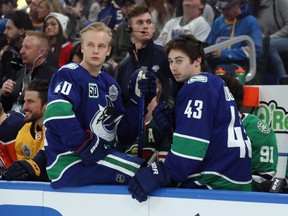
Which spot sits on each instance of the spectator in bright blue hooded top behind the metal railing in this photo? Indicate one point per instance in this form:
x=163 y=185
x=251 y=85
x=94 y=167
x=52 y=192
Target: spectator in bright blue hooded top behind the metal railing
x=234 y=22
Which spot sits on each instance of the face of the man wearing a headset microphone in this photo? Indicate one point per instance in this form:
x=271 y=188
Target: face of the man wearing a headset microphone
x=143 y=27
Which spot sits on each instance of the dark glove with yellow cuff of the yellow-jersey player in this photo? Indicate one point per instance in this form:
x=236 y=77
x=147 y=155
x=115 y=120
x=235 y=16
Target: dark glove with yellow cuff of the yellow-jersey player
x=22 y=170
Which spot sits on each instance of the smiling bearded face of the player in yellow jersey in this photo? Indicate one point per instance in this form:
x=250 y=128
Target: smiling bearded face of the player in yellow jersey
x=33 y=108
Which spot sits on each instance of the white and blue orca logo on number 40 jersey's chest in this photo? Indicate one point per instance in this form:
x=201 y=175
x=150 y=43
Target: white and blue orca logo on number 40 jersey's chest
x=105 y=120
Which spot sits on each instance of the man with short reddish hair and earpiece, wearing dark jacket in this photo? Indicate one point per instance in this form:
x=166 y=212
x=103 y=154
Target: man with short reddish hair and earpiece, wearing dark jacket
x=34 y=51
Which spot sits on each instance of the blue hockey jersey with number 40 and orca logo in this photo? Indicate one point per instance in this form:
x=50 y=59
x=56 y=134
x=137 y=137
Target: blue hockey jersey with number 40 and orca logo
x=80 y=102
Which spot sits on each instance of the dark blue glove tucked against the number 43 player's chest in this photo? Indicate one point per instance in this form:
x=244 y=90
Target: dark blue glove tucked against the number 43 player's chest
x=163 y=115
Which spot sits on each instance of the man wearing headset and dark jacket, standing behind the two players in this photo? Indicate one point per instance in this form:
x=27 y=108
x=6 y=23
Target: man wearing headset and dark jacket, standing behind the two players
x=143 y=51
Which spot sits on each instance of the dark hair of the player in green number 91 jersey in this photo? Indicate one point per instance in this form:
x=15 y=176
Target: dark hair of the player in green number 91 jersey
x=236 y=89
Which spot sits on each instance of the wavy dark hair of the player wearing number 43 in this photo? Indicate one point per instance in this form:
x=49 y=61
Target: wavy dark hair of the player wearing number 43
x=189 y=45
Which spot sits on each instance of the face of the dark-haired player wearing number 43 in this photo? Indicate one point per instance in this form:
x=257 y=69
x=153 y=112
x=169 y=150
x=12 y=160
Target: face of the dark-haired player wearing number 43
x=181 y=66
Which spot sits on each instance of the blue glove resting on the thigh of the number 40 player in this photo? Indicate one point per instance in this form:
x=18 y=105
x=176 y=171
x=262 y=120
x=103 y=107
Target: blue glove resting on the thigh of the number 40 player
x=92 y=150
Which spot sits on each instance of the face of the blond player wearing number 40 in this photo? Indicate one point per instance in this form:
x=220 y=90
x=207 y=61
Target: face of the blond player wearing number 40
x=95 y=48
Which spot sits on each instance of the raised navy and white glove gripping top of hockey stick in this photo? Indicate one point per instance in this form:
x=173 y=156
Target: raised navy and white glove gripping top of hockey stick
x=142 y=83
